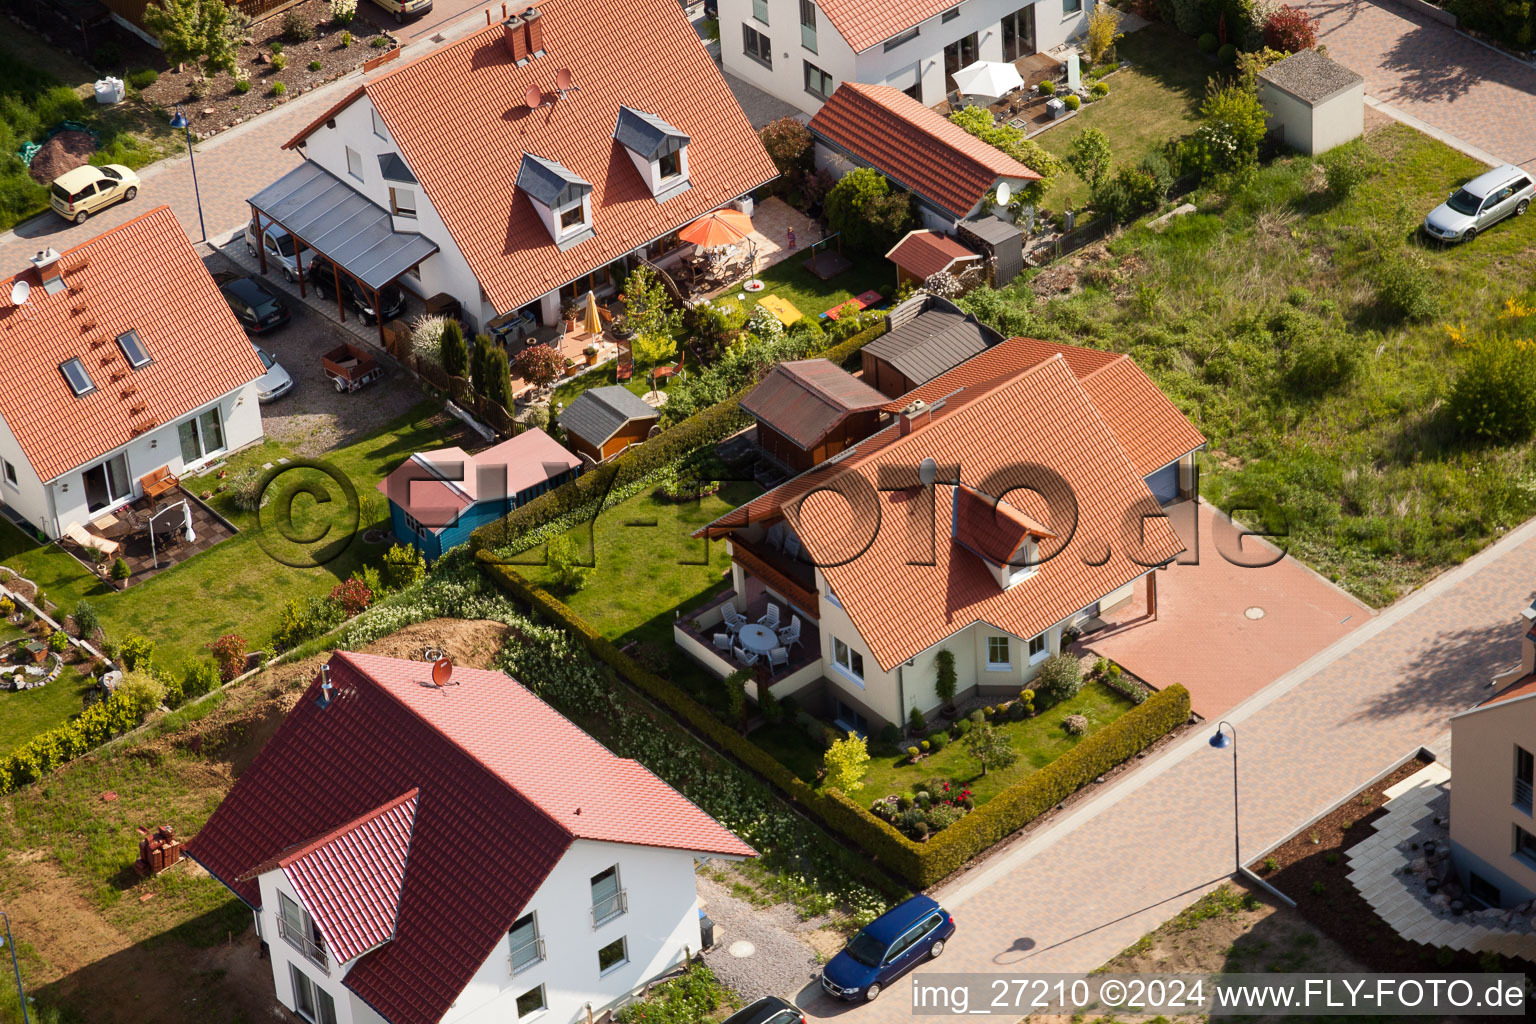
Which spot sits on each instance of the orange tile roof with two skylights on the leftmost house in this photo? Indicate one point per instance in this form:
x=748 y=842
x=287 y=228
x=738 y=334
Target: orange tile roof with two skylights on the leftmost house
x=144 y=277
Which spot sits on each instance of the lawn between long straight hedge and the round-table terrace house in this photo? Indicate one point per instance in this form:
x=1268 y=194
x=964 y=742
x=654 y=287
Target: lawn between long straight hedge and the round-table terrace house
x=649 y=566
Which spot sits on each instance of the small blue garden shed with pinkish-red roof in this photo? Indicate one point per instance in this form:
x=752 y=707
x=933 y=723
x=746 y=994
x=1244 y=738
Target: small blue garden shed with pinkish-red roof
x=439 y=498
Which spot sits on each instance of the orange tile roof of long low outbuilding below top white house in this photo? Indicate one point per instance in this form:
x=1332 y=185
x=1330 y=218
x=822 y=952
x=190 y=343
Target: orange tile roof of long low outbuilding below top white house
x=918 y=150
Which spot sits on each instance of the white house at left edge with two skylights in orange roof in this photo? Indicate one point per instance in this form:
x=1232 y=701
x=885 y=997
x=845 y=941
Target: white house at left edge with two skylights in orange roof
x=122 y=360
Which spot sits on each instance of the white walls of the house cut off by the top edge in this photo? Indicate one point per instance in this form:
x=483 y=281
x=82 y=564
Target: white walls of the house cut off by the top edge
x=922 y=58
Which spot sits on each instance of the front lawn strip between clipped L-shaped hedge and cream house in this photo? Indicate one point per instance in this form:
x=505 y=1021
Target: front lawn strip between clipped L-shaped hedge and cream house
x=1039 y=742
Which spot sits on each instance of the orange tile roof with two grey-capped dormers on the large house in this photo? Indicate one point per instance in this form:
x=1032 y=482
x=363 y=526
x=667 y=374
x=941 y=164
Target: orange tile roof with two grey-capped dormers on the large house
x=468 y=164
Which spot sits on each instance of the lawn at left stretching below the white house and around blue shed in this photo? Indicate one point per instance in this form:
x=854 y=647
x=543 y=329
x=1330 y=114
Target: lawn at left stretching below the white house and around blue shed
x=239 y=587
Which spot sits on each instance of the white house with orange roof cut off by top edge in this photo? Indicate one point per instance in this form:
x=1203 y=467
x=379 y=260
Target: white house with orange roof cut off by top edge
x=803 y=51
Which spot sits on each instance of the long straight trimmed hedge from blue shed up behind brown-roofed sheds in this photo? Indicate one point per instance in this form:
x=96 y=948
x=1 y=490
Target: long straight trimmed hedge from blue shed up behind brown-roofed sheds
x=709 y=428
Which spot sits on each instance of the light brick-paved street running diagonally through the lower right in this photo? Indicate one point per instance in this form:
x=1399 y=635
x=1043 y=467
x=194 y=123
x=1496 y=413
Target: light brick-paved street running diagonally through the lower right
x=1127 y=860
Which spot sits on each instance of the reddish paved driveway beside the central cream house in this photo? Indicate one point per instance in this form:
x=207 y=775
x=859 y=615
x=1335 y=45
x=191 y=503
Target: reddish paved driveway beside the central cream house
x=1225 y=630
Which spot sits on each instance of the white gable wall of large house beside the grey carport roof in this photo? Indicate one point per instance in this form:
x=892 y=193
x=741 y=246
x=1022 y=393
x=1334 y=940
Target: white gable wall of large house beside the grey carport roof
x=446 y=271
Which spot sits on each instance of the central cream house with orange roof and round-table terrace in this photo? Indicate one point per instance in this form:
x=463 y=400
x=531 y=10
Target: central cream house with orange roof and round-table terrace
x=925 y=537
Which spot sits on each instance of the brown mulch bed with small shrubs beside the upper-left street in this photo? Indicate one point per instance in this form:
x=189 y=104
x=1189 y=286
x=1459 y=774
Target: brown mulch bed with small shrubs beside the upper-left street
x=220 y=107
